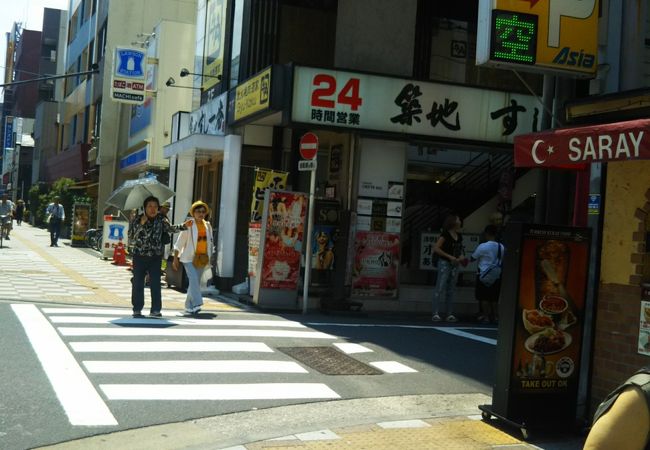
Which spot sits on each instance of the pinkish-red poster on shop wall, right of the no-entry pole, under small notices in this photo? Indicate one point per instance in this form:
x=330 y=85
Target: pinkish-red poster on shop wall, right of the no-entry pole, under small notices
x=376 y=259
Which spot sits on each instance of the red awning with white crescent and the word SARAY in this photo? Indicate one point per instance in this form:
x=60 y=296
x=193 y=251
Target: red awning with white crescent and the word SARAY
x=575 y=148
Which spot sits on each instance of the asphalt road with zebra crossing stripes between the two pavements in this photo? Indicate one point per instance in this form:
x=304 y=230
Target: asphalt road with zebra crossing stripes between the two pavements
x=74 y=371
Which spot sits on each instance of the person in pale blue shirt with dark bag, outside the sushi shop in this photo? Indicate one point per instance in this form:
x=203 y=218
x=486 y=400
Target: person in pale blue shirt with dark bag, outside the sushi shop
x=489 y=255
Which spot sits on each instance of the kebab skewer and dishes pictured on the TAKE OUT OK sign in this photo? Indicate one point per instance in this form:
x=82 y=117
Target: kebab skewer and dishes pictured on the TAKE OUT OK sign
x=554 y=313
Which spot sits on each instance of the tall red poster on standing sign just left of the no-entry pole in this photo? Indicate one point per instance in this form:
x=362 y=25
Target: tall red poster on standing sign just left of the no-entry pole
x=283 y=240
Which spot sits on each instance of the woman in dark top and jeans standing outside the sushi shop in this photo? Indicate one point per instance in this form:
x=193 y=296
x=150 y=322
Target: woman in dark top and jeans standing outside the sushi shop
x=449 y=249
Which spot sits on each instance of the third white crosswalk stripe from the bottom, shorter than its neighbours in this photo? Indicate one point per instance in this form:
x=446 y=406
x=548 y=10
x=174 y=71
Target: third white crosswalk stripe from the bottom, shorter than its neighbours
x=167 y=346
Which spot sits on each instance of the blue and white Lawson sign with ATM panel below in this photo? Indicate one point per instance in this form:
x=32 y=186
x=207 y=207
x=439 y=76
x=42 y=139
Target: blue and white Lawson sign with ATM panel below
x=129 y=76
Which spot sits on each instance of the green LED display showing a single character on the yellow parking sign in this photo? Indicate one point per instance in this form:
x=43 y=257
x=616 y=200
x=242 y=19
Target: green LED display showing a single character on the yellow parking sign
x=514 y=37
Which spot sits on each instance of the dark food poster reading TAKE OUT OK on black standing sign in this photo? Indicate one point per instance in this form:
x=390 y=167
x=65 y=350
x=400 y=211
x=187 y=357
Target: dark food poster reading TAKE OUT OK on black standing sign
x=550 y=311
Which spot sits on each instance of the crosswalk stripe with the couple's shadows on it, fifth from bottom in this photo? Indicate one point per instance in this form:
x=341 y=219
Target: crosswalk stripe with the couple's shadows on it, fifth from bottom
x=187 y=321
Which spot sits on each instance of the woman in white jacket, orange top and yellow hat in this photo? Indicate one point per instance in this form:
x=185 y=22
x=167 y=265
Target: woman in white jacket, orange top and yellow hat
x=193 y=248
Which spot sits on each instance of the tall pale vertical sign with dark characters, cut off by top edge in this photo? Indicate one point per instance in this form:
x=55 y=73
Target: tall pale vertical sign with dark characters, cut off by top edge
x=215 y=35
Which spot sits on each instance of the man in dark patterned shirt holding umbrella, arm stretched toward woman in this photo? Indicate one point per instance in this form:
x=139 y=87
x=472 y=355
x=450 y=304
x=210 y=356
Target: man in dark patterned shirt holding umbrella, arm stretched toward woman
x=146 y=237
